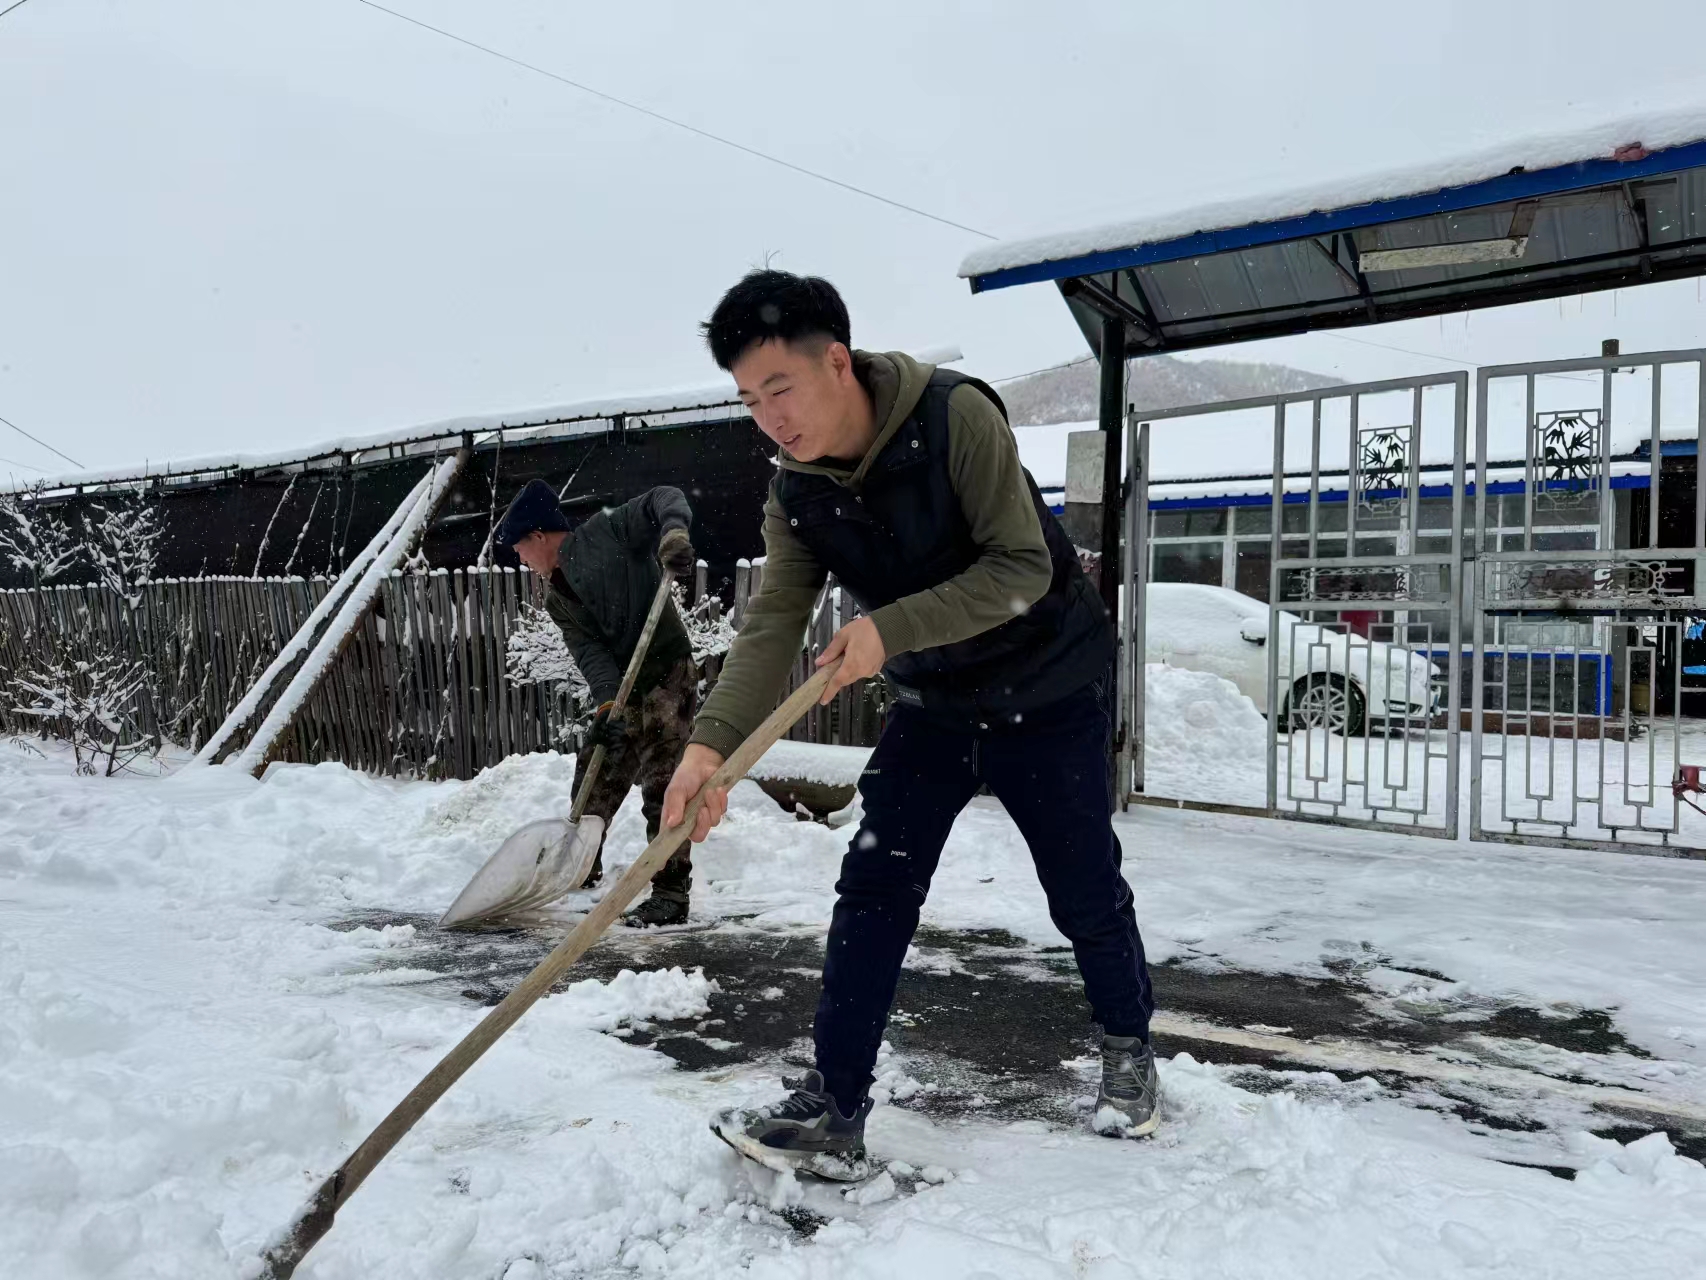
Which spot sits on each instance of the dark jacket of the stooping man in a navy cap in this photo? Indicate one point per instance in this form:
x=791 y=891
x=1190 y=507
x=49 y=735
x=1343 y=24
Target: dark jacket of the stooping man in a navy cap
x=601 y=593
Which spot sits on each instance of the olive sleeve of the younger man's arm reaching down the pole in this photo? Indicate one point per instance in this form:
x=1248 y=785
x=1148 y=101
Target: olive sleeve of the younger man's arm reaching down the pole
x=772 y=636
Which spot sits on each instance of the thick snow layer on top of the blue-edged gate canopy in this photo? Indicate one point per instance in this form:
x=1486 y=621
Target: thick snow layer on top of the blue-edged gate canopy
x=1601 y=143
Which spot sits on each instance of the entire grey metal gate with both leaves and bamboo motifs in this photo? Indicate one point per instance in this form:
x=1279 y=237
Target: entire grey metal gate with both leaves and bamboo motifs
x=1540 y=588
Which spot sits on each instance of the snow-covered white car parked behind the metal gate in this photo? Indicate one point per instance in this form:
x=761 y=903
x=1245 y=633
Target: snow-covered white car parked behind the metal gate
x=1330 y=680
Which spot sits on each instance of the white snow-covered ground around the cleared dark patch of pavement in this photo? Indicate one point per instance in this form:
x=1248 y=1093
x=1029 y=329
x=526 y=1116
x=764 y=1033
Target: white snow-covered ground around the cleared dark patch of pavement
x=187 y=1047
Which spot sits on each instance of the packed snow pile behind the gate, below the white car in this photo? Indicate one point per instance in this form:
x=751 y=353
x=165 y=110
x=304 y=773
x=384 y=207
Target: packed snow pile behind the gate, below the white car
x=1202 y=738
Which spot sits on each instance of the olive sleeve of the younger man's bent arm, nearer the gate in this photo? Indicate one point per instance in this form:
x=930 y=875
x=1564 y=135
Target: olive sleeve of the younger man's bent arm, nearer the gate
x=1013 y=571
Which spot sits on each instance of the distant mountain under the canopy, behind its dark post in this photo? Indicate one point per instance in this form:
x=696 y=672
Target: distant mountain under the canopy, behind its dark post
x=1152 y=383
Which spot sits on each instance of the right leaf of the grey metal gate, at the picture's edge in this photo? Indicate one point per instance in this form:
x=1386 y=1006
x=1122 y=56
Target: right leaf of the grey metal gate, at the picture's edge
x=1589 y=533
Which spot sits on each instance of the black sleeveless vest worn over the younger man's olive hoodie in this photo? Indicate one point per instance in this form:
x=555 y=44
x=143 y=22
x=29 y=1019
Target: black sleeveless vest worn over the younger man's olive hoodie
x=905 y=533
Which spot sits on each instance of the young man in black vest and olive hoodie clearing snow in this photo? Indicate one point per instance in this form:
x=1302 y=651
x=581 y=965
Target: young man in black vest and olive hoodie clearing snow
x=905 y=482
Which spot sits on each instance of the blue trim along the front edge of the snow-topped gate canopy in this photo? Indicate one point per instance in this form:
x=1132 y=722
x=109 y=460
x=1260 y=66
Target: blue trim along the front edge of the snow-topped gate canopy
x=1499 y=190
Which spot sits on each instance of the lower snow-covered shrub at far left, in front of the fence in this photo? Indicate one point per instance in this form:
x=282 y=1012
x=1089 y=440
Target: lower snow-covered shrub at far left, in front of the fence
x=88 y=701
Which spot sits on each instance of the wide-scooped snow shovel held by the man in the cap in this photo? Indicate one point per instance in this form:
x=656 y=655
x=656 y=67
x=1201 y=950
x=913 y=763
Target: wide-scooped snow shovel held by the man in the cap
x=547 y=859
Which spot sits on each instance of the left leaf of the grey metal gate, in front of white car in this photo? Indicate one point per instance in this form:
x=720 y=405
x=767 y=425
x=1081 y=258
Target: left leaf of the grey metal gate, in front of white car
x=1364 y=625
